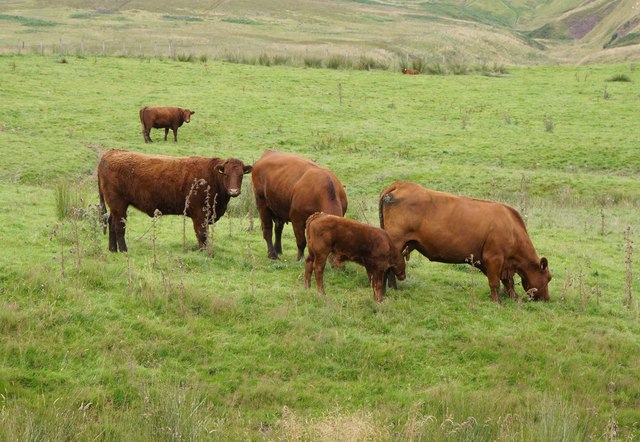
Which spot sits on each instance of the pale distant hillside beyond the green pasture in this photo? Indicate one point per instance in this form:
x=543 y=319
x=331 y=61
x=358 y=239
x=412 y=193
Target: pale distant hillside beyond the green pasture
x=481 y=31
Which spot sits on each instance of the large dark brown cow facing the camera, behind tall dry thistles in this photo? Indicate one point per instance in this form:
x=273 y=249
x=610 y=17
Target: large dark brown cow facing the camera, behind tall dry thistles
x=158 y=182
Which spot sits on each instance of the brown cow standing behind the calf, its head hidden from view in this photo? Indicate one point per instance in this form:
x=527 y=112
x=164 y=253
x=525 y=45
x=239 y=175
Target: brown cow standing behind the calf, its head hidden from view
x=289 y=187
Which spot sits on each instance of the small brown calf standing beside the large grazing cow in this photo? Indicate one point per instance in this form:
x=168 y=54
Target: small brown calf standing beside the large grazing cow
x=350 y=240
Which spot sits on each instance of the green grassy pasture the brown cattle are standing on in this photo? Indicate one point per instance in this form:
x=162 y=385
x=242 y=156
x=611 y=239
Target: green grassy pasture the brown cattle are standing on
x=170 y=344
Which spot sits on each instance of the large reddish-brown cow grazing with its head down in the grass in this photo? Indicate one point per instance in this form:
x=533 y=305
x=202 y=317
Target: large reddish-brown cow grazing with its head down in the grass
x=452 y=229
